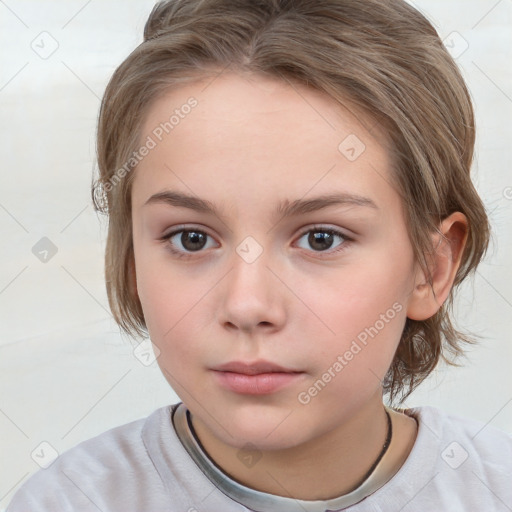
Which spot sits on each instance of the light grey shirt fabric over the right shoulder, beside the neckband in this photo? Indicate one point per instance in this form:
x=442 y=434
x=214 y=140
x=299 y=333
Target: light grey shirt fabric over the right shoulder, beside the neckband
x=455 y=464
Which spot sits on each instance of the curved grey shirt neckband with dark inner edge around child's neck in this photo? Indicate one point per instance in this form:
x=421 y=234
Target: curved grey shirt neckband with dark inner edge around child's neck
x=381 y=471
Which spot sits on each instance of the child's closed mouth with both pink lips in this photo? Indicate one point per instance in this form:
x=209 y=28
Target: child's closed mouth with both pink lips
x=256 y=378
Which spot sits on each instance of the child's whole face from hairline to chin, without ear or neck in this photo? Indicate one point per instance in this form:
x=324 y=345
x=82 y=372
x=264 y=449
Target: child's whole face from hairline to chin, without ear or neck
x=276 y=306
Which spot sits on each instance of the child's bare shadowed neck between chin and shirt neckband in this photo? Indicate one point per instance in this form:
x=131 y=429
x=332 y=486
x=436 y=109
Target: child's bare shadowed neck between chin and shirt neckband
x=322 y=468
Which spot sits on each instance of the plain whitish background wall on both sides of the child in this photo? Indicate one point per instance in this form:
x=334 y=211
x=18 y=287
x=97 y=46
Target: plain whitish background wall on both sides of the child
x=66 y=373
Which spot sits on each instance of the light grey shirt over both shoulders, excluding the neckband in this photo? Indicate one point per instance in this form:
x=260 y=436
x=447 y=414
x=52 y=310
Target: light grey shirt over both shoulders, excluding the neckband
x=456 y=464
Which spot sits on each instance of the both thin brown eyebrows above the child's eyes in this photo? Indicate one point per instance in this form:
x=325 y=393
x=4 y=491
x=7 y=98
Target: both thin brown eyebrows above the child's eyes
x=284 y=209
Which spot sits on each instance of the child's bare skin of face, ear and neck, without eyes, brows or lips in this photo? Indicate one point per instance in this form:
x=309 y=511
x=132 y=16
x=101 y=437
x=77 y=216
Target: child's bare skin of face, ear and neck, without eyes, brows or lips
x=250 y=143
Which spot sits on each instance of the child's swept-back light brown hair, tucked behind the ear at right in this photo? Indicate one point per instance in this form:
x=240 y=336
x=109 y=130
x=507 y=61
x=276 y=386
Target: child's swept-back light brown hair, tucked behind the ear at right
x=382 y=57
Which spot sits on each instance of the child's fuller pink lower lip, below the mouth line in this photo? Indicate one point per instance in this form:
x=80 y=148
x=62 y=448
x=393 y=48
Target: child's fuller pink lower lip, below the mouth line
x=260 y=384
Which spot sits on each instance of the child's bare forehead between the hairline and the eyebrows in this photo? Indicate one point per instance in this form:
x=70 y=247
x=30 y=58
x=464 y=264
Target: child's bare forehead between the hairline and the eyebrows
x=252 y=138
